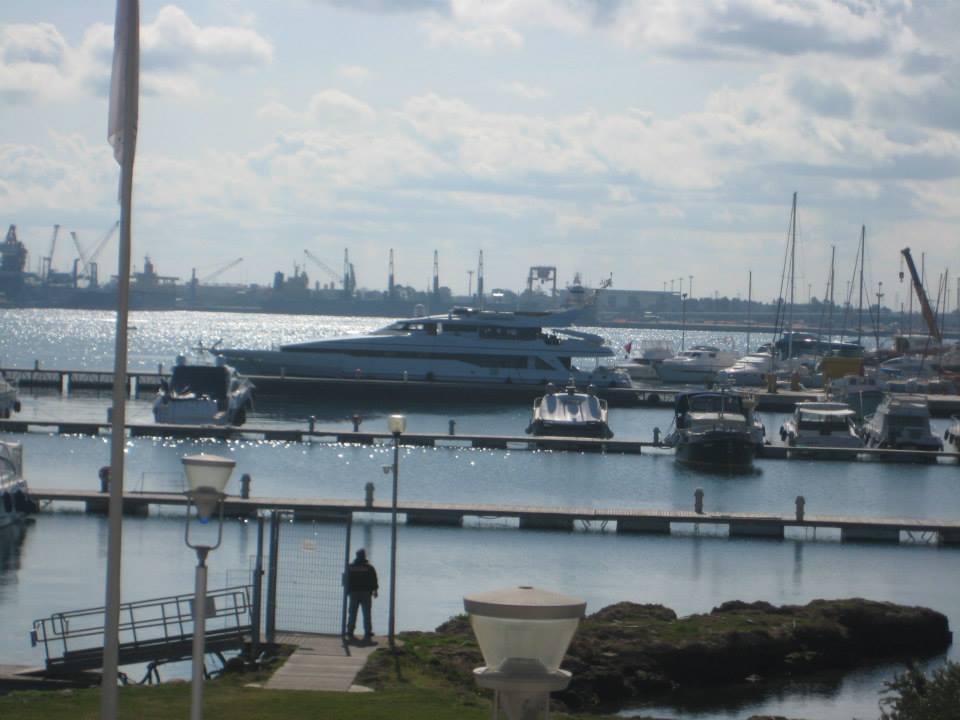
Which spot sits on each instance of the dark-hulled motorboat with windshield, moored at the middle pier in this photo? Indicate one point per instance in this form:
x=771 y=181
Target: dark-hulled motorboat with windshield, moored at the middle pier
x=714 y=429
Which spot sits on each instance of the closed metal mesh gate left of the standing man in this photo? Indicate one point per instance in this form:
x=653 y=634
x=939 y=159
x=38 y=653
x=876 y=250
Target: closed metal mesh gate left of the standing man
x=305 y=591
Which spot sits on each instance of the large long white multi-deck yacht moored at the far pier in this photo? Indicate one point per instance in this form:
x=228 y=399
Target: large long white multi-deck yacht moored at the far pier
x=463 y=346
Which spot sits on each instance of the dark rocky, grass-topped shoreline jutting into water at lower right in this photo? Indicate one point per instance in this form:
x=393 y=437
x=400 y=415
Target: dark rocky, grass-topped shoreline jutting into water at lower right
x=629 y=652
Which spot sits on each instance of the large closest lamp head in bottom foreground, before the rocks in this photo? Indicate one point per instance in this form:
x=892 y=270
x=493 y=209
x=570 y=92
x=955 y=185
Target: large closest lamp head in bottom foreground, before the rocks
x=523 y=633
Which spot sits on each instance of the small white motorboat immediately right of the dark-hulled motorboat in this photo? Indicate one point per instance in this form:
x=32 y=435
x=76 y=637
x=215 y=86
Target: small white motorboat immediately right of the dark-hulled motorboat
x=818 y=425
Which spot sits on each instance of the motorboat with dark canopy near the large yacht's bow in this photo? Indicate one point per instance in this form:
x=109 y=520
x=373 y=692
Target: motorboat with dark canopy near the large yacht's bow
x=203 y=395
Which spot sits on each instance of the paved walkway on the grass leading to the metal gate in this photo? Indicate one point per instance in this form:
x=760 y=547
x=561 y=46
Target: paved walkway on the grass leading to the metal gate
x=320 y=662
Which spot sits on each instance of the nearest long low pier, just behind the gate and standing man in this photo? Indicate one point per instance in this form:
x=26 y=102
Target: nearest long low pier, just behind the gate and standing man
x=757 y=525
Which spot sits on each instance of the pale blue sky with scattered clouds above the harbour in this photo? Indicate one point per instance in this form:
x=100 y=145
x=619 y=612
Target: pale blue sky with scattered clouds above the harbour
x=647 y=140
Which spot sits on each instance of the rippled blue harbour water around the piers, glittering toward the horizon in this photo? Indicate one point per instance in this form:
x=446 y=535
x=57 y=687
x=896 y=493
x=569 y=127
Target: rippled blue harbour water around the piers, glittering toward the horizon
x=58 y=563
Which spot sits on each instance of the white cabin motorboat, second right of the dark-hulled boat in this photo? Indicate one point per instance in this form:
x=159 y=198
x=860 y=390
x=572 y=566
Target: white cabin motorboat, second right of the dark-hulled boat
x=902 y=422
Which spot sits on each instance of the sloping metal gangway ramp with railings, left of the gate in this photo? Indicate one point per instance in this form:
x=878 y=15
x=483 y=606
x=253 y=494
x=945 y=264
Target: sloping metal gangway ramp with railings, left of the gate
x=155 y=632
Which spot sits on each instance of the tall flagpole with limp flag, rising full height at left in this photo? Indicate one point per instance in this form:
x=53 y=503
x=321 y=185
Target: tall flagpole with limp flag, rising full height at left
x=122 y=134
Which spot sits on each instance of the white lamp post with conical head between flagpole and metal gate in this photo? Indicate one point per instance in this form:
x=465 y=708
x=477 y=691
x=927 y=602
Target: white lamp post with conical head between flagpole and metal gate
x=207 y=476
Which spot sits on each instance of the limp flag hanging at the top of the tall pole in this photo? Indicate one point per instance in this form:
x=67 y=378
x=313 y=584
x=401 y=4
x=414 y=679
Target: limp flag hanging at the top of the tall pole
x=125 y=81
